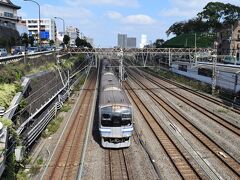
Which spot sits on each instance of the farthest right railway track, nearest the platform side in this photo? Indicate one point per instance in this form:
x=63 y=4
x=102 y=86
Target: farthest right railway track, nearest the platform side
x=224 y=103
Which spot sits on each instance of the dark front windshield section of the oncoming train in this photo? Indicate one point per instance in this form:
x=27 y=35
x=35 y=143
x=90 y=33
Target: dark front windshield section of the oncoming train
x=115 y=116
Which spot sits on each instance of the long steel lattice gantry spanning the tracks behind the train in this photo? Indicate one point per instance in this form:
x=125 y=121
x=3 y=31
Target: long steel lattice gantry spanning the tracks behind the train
x=191 y=55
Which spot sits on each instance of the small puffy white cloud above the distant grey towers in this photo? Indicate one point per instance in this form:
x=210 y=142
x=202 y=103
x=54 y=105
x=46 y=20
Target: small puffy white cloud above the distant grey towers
x=138 y=19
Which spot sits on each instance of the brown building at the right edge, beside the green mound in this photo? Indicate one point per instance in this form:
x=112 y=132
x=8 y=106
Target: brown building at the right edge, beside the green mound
x=229 y=41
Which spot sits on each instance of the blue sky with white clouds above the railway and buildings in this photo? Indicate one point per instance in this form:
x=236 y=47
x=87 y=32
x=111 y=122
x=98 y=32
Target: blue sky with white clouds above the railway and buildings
x=102 y=20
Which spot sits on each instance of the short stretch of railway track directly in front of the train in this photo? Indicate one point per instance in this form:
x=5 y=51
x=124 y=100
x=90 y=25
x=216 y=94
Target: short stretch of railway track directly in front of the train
x=117 y=166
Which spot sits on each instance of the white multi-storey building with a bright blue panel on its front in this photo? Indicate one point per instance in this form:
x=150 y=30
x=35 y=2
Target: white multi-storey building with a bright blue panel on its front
x=48 y=28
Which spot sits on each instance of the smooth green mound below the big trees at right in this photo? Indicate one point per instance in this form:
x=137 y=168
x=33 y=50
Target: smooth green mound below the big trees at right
x=188 y=41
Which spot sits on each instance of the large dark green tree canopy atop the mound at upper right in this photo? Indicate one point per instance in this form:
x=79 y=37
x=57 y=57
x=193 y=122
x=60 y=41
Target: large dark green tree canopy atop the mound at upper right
x=214 y=16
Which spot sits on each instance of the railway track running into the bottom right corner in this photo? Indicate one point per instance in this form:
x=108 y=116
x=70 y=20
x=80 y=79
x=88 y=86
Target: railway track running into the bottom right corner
x=226 y=159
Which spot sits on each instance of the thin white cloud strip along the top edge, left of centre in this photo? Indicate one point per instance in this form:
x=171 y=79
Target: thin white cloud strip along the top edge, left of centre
x=123 y=3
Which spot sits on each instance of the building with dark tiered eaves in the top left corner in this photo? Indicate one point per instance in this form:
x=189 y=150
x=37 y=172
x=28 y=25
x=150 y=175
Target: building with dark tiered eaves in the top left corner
x=8 y=14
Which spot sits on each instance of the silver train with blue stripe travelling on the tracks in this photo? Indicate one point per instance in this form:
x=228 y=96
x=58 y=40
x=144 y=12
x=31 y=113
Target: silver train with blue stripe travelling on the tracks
x=115 y=111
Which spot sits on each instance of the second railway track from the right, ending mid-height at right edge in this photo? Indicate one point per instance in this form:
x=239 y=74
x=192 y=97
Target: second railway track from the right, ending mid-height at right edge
x=230 y=126
